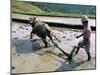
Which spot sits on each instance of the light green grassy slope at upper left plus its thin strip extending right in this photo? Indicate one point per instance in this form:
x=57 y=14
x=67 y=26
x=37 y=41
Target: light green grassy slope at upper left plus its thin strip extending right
x=28 y=8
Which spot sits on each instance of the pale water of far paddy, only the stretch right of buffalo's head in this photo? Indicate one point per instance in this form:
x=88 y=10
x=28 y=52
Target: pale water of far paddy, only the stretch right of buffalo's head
x=74 y=21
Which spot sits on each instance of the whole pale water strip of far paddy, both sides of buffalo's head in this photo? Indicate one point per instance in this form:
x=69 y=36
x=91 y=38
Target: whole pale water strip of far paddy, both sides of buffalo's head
x=65 y=20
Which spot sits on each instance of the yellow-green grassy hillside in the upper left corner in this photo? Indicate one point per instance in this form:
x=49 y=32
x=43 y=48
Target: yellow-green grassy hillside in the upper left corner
x=24 y=7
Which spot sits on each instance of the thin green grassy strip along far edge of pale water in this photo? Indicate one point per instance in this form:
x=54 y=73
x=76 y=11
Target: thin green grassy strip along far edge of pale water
x=56 y=15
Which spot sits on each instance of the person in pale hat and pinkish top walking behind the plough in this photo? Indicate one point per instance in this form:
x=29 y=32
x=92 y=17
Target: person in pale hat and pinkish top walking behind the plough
x=85 y=43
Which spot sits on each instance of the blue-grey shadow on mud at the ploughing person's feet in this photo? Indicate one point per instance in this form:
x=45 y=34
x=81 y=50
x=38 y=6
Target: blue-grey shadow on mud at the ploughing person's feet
x=69 y=65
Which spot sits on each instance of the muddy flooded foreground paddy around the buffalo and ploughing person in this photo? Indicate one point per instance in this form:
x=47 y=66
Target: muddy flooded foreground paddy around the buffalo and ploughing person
x=31 y=56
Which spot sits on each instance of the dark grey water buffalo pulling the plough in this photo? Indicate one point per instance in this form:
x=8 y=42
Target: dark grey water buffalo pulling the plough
x=41 y=29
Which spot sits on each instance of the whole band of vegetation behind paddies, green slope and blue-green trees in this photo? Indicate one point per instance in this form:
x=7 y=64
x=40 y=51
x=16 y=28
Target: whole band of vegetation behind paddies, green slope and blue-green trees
x=52 y=9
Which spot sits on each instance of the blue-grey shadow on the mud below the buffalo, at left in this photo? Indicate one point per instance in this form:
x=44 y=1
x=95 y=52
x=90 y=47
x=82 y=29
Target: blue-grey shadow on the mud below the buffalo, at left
x=26 y=46
